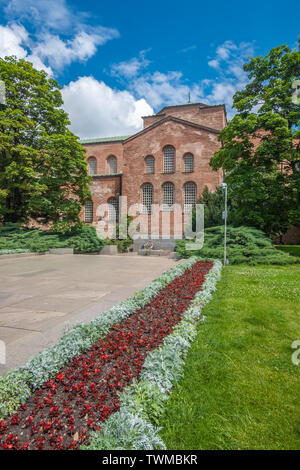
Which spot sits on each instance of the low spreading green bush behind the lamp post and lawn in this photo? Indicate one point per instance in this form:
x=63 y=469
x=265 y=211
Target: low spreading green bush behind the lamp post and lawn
x=244 y=245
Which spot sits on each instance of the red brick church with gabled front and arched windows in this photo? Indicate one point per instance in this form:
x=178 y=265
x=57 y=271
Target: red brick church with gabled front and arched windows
x=166 y=163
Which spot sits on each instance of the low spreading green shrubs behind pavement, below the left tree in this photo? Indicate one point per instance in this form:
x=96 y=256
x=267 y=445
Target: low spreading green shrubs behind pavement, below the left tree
x=16 y=239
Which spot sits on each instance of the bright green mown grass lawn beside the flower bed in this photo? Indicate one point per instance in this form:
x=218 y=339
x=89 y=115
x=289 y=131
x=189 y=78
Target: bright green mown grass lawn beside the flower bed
x=240 y=388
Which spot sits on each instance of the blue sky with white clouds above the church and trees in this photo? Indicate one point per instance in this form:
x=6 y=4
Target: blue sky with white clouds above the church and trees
x=118 y=60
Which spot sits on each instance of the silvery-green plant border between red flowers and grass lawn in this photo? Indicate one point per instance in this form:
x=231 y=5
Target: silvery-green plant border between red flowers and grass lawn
x=134 y=426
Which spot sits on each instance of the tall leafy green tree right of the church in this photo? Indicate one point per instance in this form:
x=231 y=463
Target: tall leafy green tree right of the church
x=260 y=151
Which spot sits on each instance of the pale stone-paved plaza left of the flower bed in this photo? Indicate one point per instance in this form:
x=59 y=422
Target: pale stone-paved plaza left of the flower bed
x=40 y=294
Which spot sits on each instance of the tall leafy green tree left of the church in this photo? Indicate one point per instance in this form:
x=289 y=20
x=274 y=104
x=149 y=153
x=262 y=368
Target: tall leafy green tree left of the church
x=43 y=172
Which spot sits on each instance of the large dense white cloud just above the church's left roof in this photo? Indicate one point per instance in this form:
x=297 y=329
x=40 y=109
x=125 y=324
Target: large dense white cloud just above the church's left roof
x=96 y=110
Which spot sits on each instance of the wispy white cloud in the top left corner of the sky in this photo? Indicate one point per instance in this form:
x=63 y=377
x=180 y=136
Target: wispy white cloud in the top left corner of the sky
x=46 y=20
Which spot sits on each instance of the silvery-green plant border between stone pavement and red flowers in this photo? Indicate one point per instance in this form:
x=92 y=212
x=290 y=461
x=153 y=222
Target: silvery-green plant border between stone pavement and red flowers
x=17 y=385
